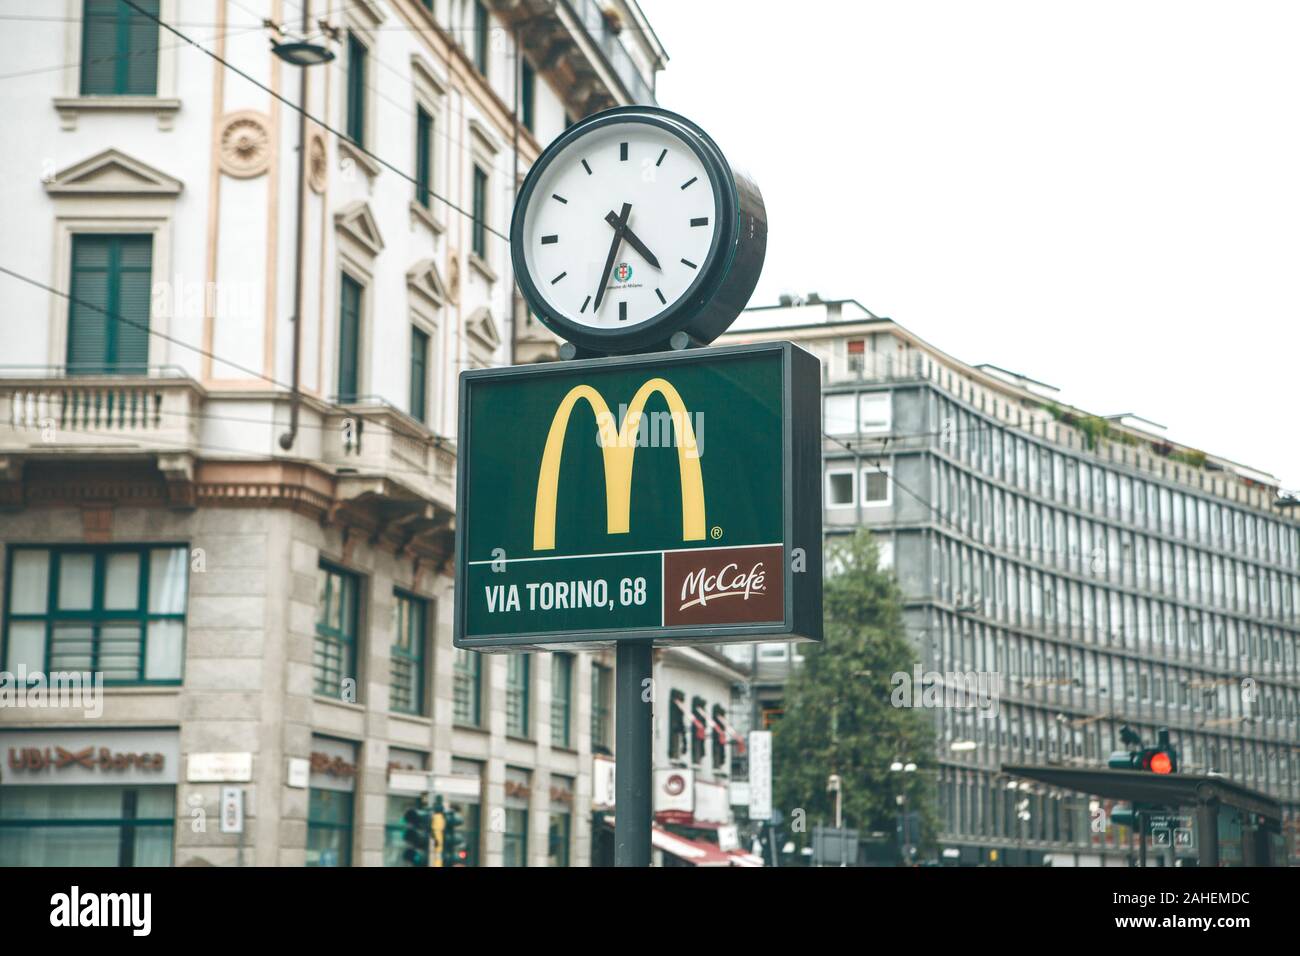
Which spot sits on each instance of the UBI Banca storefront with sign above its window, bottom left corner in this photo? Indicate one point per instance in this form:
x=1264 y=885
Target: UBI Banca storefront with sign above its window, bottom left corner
x=75 y=798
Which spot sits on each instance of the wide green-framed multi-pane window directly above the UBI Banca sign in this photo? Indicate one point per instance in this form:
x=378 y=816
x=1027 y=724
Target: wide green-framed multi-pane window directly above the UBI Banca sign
x=112 y=611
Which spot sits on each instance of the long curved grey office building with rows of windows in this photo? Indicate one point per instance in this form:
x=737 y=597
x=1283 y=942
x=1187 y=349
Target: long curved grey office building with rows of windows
x=1097 y=574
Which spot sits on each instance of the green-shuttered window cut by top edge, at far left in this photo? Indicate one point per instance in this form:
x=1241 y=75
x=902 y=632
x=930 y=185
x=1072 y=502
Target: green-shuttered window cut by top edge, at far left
x=120 y=49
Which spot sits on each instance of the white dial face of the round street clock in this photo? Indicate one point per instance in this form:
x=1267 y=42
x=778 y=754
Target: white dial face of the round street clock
x=573 y=220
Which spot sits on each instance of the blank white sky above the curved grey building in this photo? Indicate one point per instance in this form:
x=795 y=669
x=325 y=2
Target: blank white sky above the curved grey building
x=1100 y=196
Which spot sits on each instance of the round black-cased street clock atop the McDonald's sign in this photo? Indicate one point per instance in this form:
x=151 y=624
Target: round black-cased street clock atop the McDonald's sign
x=632 y=228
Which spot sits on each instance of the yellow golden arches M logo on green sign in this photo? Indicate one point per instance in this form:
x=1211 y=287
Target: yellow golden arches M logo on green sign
x=619 y=447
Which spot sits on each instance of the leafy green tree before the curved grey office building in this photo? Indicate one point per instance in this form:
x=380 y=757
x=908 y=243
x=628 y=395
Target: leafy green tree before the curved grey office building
x=839 y=717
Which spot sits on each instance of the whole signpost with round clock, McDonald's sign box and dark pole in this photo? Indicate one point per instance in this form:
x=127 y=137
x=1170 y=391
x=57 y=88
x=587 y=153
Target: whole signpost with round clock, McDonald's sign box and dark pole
x=661 y=492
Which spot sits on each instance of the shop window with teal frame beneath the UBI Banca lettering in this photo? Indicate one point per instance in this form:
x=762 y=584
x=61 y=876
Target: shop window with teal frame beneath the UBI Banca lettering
x=86 y=827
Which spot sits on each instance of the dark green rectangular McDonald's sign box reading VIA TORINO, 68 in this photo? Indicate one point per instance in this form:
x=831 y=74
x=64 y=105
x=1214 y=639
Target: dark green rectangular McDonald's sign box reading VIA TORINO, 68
x=673 y=498
